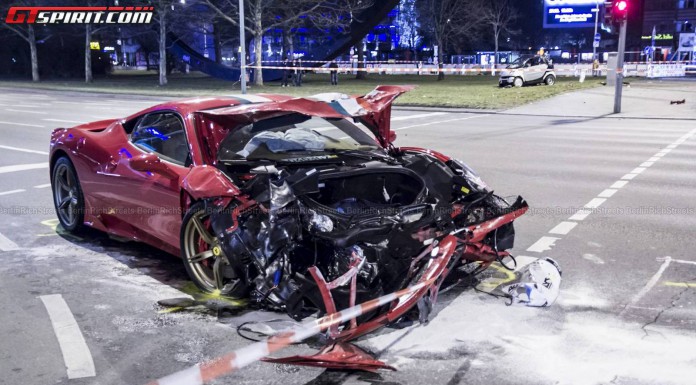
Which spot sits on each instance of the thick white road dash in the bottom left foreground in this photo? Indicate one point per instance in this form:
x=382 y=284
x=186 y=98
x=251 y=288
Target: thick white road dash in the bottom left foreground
x=76 y=354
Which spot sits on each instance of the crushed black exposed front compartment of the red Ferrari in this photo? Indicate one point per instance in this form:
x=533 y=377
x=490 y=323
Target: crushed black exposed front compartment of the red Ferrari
x=355 y=223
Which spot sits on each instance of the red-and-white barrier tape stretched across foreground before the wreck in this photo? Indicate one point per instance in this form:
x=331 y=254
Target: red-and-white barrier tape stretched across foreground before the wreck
x=203 y=373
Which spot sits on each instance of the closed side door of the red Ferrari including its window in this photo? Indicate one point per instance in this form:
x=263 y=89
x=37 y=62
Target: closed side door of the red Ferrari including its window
x=150 y=198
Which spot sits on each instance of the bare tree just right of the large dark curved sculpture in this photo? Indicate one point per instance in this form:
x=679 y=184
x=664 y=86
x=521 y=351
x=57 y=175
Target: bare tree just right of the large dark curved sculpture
x=445 y=20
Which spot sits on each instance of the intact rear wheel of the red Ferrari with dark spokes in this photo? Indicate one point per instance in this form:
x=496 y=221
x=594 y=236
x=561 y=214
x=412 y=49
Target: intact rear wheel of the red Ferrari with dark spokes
x=68 y=199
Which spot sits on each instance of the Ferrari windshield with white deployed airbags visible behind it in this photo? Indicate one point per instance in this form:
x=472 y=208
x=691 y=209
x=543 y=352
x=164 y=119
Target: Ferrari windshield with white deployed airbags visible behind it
x=294 y=135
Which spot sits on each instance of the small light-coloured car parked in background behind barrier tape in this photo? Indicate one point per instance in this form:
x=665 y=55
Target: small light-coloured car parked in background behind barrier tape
x=527 y=70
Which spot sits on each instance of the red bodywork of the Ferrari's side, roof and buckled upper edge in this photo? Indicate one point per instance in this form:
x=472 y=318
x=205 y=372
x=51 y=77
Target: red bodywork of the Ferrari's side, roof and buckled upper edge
x=149 y=206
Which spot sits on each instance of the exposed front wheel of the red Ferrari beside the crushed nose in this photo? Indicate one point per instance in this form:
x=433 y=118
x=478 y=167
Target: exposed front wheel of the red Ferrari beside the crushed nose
x=203 y=256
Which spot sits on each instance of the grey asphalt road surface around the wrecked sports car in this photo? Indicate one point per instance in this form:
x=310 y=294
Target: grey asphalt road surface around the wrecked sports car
x=613 y=201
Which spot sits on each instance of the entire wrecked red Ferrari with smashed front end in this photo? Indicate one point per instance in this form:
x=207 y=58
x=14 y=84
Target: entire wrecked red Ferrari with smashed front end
x=300 y=205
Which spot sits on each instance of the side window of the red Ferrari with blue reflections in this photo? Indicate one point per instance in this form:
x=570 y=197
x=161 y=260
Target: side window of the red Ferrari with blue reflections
x=164 y=134
